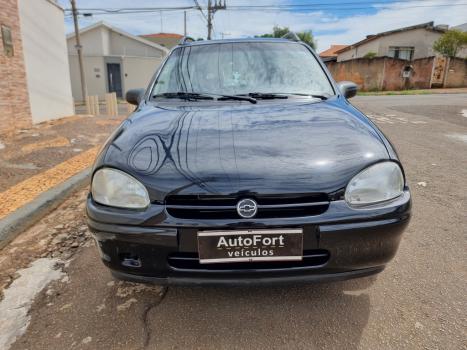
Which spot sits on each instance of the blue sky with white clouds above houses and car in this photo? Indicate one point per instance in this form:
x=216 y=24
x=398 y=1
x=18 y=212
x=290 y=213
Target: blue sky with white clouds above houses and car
x=331 y=21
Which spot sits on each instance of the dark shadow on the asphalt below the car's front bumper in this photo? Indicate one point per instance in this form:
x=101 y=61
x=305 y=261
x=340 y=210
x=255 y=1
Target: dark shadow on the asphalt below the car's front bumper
x=328 y=315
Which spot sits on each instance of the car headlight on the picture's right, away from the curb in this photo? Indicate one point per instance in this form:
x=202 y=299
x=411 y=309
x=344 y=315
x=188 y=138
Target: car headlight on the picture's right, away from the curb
x=377 y=183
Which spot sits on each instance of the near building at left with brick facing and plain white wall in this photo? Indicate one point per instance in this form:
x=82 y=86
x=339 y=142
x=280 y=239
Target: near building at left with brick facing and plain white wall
x=34 y=75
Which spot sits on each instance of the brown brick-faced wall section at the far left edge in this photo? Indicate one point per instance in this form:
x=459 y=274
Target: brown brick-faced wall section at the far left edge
x=14 y=100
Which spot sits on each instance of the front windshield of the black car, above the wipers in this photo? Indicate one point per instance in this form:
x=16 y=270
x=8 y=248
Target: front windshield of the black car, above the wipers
x=243 y=68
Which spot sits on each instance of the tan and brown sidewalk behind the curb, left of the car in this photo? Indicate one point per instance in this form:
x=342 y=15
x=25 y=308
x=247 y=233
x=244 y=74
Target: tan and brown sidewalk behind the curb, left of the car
x=35 y=160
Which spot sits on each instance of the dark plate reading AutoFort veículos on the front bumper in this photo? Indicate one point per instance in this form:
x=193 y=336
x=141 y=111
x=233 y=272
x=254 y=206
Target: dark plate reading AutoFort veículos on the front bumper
x=250 y=245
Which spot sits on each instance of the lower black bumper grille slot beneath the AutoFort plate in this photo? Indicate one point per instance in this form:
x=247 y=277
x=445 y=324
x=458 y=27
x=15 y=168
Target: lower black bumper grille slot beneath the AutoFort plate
x=190 y=261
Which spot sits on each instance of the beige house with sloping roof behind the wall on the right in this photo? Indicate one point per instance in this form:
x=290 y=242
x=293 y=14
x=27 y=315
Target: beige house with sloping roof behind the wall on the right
x=405 y=43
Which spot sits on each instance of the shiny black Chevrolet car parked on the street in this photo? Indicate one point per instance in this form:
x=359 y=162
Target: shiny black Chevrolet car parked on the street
x=245 y=163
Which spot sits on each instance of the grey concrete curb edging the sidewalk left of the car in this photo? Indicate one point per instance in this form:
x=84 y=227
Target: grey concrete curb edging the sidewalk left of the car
x=21 y=219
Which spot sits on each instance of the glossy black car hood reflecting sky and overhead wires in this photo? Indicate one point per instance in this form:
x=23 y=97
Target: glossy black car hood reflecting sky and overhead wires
x=235 y=149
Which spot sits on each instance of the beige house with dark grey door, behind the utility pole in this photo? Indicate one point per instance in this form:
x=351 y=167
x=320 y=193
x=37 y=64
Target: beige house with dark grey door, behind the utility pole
x=114 y=61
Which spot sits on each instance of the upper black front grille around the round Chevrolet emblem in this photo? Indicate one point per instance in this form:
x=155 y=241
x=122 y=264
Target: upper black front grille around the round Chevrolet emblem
x=213 y=207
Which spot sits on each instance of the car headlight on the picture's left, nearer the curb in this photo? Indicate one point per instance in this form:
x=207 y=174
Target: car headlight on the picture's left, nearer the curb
x=117 y=189
